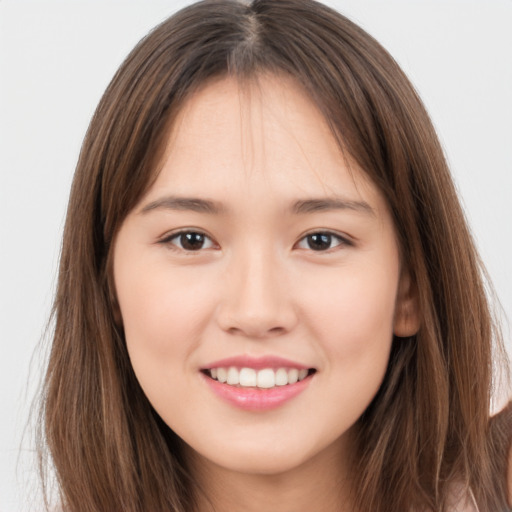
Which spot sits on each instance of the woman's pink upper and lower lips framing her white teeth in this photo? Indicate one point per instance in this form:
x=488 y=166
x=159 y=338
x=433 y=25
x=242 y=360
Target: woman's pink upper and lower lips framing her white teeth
x=252 y=398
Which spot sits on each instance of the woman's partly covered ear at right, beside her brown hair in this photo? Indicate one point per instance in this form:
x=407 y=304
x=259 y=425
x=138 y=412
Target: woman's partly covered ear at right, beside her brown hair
x=407 y=317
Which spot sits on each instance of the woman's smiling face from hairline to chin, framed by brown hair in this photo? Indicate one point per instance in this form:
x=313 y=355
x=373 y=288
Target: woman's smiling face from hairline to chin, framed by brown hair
x=262 y=256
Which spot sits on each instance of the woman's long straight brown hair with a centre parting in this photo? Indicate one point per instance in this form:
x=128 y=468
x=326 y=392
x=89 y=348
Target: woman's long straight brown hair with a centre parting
x=429 y=425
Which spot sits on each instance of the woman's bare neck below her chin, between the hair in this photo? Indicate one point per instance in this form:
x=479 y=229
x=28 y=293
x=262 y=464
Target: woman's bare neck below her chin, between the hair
x=318 y=484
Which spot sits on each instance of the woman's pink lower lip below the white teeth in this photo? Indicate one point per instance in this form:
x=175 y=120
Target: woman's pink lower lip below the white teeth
x=257 y=399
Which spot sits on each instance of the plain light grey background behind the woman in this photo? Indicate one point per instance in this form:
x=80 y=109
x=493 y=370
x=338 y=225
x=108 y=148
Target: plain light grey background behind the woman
x=56 y=58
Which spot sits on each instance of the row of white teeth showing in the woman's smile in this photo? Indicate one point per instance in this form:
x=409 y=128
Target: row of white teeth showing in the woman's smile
x=266 y=378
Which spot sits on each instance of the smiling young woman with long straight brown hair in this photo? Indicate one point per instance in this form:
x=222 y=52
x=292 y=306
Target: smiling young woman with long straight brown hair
x=268 y=296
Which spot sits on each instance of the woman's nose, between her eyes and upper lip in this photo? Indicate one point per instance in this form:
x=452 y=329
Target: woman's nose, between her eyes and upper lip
x=256 y=300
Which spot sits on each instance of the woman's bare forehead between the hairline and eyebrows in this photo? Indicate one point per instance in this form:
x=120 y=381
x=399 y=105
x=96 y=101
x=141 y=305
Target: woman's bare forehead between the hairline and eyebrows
x=260 y=135
